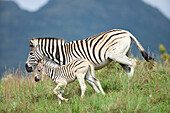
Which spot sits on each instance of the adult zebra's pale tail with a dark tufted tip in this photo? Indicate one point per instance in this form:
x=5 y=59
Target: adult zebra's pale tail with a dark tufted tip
x=142 y=50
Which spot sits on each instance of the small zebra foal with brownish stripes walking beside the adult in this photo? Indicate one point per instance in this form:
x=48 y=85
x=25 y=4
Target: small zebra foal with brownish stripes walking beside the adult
x=62 y=75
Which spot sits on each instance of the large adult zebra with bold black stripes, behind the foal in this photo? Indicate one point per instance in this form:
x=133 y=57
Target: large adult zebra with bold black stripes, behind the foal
x=100 y=50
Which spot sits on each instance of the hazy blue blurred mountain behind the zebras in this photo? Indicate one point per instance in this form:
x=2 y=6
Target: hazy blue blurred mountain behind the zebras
x=78 y=19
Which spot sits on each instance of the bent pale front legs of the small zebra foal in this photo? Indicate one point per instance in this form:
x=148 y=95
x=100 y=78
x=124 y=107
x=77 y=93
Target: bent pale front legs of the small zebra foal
x=57 y=90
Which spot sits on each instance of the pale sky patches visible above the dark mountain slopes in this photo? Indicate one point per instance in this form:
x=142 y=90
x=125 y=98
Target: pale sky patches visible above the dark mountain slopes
x=33 y=5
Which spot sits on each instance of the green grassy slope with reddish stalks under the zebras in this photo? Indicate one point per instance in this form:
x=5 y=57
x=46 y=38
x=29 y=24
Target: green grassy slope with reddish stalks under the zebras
x=147 y=91
